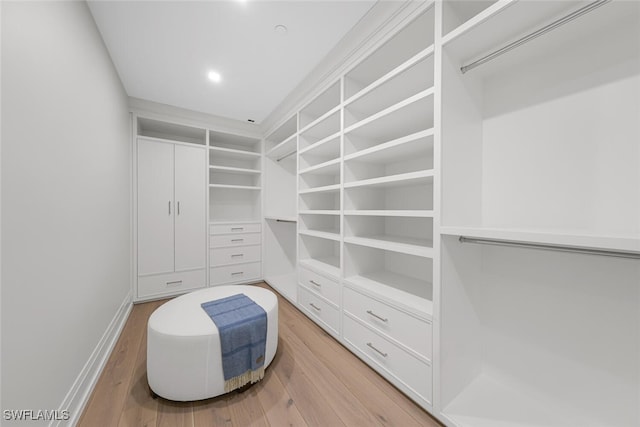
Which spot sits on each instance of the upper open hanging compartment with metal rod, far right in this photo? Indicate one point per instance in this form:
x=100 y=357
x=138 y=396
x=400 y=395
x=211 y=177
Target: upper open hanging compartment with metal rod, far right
x=542 y=140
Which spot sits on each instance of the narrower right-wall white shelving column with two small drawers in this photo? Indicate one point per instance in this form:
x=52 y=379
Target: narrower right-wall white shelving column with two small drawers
x=319 y=191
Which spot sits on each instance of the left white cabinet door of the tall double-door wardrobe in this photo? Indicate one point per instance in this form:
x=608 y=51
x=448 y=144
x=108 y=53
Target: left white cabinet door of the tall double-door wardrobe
x=155 y=207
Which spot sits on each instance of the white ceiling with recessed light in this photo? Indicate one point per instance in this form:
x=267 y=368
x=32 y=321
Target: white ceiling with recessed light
x=164 y=49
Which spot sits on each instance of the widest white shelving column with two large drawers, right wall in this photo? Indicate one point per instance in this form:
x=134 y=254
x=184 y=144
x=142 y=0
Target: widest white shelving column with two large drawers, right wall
x=389 y=208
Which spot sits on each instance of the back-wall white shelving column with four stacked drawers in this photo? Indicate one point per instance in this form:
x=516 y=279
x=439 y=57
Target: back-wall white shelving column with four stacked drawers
x=235 y=222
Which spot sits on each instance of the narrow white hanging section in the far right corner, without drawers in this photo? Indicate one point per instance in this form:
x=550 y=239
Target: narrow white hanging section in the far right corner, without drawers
x=280 y=196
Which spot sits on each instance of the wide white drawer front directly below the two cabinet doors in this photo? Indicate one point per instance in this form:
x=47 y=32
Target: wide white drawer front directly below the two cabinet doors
x=165 y=284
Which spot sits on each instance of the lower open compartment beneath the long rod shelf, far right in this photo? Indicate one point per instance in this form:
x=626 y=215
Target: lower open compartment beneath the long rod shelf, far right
x=538 y=338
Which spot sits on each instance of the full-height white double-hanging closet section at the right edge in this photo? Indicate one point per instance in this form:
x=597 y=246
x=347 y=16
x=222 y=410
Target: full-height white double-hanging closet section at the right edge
x=540 y=161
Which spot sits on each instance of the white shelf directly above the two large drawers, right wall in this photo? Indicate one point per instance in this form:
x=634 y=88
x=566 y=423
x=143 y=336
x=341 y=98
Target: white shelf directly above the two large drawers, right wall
x=405 y=292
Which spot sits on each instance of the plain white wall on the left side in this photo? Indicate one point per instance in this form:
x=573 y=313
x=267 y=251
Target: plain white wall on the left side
x=65 y=199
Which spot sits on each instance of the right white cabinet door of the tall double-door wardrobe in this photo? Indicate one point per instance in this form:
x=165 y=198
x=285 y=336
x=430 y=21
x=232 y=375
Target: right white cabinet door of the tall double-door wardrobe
x=190 y=198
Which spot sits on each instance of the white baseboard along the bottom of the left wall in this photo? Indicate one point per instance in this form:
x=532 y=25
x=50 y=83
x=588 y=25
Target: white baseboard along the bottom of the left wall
x=77 y=397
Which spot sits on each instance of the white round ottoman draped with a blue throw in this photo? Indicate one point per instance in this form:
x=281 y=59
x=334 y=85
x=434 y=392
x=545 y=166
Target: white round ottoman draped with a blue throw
x=183 y=345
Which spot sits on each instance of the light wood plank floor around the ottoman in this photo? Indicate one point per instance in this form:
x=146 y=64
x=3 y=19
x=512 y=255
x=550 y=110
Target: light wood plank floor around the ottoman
x=312 y=381
